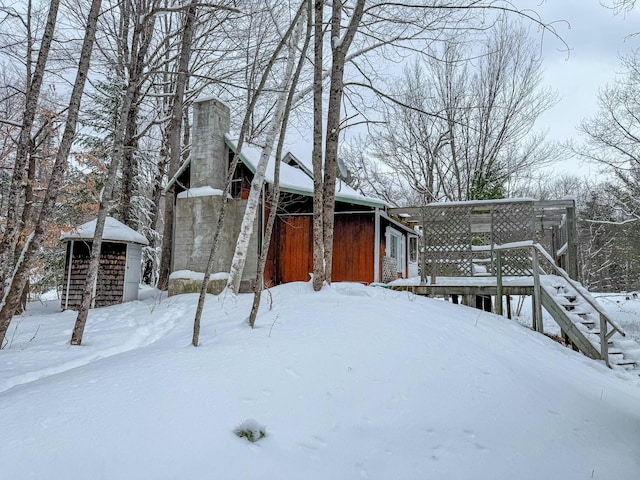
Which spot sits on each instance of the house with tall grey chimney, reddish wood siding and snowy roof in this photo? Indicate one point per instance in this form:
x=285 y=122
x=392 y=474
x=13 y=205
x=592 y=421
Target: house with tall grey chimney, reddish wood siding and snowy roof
x=369 y=244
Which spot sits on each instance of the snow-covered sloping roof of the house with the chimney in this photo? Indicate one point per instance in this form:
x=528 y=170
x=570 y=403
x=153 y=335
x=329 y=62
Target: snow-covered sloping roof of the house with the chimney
x=297 y=180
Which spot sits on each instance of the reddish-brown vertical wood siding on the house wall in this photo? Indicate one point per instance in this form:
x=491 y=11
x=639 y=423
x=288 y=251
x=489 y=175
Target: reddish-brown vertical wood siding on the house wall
x=291 y=253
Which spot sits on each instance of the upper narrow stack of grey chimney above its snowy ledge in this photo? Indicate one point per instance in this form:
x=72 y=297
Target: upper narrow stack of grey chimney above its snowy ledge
x=209 y=160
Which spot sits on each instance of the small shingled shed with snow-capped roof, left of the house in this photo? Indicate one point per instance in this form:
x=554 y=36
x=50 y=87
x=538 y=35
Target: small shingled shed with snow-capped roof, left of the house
x=120 y=259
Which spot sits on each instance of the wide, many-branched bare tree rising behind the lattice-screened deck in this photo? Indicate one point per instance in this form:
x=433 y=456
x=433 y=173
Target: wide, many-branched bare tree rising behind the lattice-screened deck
x=462 y=126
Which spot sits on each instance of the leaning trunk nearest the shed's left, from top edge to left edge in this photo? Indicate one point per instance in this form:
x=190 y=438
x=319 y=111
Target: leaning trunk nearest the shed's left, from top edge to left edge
x=32 y=245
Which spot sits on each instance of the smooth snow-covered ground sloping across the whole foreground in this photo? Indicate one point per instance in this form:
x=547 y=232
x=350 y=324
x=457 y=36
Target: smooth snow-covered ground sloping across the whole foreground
x=352 y=382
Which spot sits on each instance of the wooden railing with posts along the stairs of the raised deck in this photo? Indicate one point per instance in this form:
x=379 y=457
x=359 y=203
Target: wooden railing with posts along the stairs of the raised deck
x=538 y=250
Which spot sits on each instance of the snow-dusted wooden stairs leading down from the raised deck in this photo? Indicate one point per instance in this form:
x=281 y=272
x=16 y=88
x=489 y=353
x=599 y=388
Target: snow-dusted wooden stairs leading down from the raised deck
x=580 y=318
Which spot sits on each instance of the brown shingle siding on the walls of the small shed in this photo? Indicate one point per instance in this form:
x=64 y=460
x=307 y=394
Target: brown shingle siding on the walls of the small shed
x=110 y=283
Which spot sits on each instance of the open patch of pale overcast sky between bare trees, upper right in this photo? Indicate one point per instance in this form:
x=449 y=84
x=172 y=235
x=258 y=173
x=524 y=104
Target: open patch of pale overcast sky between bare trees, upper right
x=596 y=37
